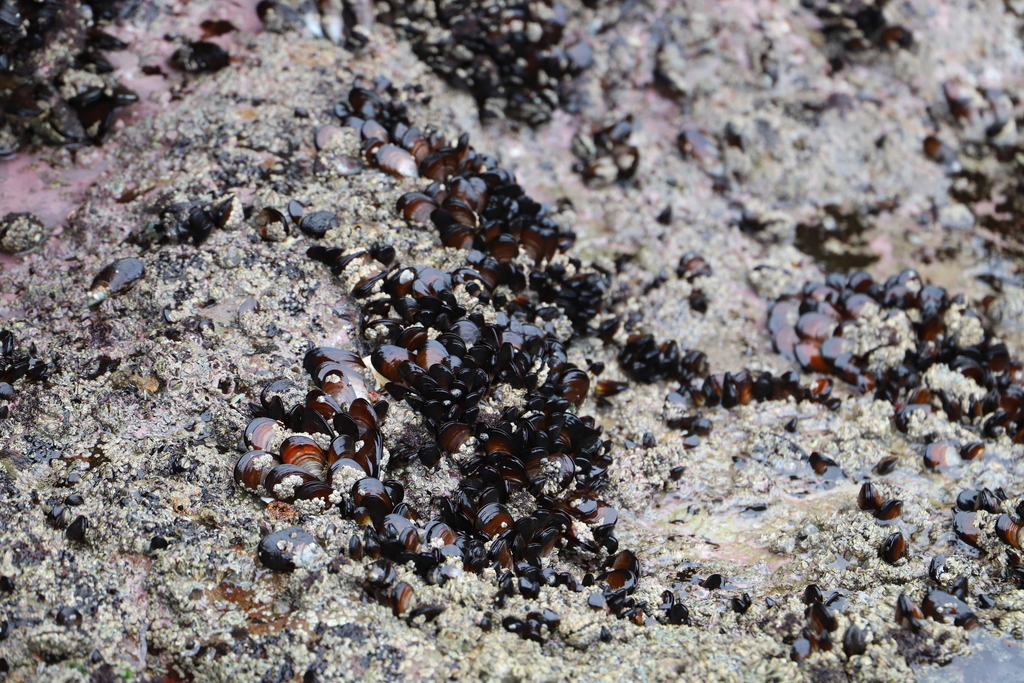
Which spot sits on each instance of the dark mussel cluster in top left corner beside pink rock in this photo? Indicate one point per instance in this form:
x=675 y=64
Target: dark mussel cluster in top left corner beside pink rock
x=55 y=80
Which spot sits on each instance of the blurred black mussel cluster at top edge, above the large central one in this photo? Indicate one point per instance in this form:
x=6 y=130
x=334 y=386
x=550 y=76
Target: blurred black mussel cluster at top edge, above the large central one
x=515 y=58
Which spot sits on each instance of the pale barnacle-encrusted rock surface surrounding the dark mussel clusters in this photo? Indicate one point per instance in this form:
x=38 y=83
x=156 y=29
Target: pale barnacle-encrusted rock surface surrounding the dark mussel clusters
x=802 y=155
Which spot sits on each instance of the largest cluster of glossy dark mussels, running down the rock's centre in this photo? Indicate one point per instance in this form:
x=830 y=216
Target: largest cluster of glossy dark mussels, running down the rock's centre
x=480 y=354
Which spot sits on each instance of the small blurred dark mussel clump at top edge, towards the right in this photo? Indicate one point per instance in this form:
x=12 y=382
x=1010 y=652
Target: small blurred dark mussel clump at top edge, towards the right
x=860 y=25
